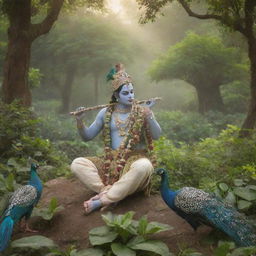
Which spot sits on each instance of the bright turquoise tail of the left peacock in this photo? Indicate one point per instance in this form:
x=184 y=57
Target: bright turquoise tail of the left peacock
x=6 y=228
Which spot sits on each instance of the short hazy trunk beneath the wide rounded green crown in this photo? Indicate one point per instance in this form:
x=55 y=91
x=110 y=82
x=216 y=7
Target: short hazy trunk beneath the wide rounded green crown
x=209 y=98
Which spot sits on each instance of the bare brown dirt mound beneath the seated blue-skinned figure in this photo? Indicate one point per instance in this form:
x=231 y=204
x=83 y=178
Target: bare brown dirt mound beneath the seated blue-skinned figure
x=71 y=225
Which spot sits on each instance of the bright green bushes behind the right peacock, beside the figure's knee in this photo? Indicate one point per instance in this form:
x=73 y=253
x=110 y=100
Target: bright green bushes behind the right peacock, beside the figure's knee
x=208 y=162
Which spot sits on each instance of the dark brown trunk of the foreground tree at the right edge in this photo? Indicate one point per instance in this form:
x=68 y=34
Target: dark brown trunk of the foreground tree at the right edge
x=250 y=119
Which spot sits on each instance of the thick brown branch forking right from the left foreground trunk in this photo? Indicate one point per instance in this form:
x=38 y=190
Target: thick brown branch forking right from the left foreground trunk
x=45 y=26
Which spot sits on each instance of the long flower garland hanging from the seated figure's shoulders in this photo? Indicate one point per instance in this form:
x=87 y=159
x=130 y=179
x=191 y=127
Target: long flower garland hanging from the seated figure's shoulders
x=137 y=121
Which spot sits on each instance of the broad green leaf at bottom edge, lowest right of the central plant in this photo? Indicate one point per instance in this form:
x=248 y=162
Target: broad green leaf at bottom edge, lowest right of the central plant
x=157 y=247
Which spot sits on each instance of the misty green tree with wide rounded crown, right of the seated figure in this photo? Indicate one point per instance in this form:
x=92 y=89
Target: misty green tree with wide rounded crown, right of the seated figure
x=205 y=63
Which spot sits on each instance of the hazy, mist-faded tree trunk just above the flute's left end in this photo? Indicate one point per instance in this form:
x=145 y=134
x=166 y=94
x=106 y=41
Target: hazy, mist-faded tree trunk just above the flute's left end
x=67 y=89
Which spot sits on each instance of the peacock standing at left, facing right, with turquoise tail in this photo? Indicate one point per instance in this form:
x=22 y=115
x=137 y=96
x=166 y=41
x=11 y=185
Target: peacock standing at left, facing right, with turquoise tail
x=20 y=205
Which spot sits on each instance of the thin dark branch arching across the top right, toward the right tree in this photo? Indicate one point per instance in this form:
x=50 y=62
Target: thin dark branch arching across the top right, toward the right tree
x=236 y=26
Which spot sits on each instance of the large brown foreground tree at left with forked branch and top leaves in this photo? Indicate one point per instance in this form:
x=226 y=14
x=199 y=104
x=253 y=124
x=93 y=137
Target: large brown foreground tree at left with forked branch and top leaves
x=21 y=33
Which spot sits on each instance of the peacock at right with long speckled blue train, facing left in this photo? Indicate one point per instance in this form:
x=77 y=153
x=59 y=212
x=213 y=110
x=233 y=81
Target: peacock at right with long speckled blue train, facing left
x=198 y=207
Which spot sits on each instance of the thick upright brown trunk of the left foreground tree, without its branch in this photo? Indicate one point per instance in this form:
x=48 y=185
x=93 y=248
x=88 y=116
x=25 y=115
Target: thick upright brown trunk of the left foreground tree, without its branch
x=16 y=65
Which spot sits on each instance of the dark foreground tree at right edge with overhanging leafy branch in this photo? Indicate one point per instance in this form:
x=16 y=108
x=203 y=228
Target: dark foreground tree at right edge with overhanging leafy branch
x=237 y=15
